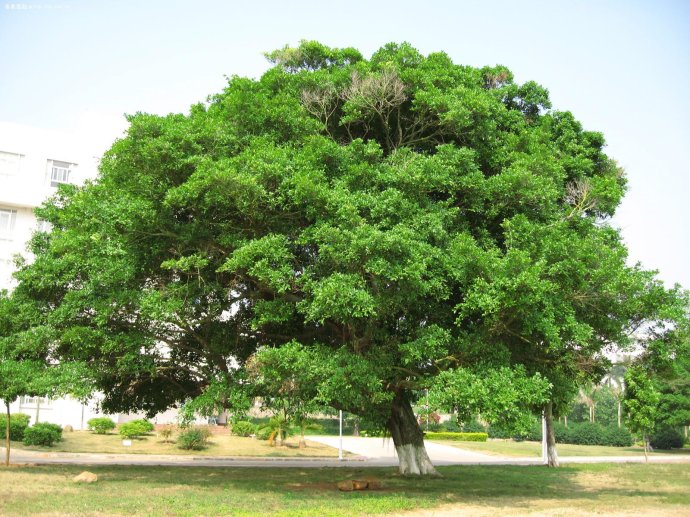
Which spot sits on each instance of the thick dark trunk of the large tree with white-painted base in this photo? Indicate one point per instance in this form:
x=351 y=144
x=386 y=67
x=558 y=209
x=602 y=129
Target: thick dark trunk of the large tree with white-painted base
x=409 y=440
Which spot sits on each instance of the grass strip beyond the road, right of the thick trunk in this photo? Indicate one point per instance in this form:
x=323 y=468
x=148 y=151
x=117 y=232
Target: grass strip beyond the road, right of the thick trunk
x=526 y=449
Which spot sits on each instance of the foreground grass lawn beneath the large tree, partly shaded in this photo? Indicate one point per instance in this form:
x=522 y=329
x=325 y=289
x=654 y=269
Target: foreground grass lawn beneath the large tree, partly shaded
x=632 y=489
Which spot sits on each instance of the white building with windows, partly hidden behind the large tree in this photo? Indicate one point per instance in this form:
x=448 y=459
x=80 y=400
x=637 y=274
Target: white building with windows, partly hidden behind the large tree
x=32 y=163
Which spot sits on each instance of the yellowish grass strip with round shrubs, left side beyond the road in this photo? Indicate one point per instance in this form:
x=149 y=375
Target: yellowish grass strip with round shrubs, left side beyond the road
x=220 y=445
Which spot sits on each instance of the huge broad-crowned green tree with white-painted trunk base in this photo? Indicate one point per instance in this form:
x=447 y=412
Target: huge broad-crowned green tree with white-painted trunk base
x=389 y=218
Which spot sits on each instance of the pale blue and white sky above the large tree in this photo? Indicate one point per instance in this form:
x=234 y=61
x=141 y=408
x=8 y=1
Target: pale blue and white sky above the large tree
x=622 y=67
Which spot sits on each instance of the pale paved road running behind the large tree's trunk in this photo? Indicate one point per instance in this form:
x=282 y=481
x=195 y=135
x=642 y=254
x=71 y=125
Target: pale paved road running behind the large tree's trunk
x=368 y=452
